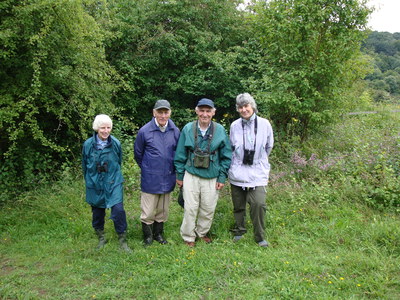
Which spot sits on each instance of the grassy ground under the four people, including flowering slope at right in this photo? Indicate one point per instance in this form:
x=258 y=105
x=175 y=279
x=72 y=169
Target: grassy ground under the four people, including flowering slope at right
x=333 y=224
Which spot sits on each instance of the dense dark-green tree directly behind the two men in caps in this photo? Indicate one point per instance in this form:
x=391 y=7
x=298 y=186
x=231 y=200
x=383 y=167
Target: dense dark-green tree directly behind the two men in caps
x=177 y=50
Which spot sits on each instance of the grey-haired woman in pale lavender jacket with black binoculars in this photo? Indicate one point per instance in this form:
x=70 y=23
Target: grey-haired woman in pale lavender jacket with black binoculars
x=252 y=140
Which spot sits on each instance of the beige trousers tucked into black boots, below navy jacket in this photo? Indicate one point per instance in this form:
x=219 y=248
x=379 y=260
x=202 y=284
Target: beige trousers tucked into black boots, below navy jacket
x=155 y=207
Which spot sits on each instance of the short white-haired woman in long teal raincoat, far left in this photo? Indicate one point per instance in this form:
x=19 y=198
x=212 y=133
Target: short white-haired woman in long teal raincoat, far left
x=101 y=164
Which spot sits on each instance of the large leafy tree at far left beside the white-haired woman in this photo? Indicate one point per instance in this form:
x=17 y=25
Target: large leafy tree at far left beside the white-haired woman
x=54 y=79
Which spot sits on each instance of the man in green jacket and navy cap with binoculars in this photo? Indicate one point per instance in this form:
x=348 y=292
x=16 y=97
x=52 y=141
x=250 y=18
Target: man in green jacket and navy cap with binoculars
x=202 y=160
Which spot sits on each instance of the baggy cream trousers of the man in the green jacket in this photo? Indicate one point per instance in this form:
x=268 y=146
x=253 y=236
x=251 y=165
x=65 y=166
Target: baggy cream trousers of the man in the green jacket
x=201 y=198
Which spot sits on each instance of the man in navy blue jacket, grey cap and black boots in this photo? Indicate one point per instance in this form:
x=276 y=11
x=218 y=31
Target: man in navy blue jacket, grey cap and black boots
x=155 y=147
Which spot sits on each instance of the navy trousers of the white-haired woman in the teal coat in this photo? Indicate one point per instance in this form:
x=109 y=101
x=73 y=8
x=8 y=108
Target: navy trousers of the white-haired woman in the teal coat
x=118 y=215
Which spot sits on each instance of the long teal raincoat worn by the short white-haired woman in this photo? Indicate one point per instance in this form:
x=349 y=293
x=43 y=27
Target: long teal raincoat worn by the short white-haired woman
x=102 y=172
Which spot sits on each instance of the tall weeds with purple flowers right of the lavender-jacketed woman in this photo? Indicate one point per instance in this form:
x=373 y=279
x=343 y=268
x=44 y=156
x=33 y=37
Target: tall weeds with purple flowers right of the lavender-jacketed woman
x=361 y=162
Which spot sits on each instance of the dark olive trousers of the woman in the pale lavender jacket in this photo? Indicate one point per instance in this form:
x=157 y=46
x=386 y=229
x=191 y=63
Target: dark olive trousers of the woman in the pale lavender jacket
x=258 y=207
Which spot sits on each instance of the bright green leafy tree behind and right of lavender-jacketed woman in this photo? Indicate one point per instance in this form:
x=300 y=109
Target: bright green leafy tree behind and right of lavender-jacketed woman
x=311 y=57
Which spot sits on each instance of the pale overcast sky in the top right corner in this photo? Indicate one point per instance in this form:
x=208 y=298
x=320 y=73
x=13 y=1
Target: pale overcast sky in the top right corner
x=386 y=16
